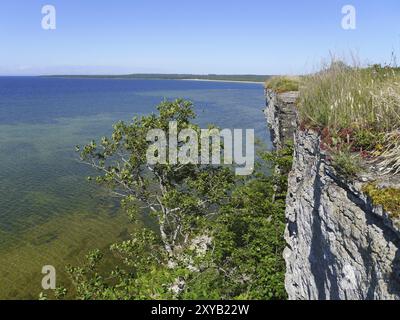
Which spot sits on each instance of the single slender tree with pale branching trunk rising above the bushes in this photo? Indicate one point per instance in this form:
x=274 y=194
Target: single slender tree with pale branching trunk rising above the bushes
x=180 y=196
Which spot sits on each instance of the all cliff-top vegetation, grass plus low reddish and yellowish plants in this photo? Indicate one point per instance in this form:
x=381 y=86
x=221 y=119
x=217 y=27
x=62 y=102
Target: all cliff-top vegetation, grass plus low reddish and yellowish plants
x=357 y=112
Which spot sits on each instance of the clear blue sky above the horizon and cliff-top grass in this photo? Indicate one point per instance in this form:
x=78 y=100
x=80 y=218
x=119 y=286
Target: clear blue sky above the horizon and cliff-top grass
x=191 y=36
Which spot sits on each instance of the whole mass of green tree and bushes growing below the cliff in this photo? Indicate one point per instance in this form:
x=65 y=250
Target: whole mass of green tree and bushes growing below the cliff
x=220 y=237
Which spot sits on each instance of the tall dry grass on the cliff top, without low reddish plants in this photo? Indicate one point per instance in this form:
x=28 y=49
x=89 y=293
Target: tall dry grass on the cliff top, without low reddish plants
x=356 y=99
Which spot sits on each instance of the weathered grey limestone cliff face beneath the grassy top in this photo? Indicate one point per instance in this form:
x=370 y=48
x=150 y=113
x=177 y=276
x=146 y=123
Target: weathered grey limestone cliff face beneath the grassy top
x=339 y=246
